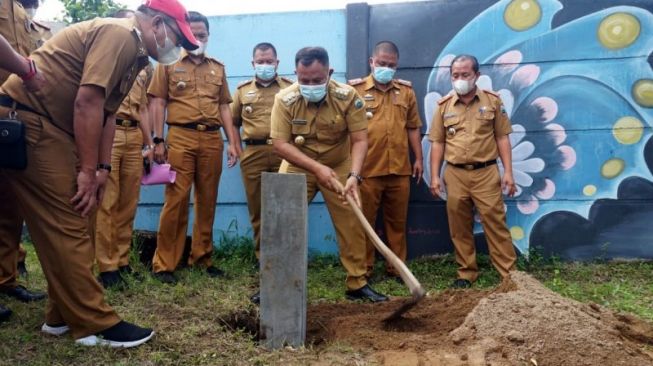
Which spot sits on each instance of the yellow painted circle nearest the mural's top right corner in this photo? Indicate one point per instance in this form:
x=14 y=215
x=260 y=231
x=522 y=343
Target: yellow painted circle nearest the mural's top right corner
x=618 y=30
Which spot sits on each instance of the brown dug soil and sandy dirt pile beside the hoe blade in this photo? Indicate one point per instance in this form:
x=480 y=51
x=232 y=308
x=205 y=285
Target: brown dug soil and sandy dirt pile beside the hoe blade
x=519 y=323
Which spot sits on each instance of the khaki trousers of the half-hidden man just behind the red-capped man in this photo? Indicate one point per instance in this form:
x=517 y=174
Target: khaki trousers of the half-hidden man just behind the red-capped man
x=115 y=216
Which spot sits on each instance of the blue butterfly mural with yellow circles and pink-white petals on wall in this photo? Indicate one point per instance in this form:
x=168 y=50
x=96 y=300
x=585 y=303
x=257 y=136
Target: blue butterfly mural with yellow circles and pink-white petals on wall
x=580 y=96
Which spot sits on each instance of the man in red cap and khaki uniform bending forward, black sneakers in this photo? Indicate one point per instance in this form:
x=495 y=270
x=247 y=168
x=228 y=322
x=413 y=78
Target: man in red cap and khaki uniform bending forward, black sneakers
x=94 y=64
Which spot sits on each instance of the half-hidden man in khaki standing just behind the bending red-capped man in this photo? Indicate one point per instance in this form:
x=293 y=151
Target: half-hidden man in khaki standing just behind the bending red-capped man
x=116 y=212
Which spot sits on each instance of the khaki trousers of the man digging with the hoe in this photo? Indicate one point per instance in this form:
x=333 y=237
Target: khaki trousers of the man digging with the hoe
x=350 y=233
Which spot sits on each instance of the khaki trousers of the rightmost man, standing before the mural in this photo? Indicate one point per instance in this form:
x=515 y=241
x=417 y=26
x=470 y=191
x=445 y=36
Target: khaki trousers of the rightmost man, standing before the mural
x=480 y=188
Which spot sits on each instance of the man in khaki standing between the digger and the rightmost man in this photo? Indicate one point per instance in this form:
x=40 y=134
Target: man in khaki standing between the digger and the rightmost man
x=393 y=124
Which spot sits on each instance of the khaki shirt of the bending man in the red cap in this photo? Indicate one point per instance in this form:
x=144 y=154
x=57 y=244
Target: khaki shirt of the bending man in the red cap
x=107 y=53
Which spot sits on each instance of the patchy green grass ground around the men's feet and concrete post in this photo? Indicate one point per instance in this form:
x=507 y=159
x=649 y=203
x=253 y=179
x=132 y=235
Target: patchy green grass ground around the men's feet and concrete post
x=188 y=317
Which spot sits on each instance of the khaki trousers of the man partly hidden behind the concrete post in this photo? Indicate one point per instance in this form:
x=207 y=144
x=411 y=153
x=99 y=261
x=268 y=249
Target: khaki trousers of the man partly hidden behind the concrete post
x=257 y=159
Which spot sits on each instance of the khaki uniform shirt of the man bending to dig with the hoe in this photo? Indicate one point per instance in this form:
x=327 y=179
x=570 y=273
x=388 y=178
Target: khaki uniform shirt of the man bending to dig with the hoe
x=324 y=127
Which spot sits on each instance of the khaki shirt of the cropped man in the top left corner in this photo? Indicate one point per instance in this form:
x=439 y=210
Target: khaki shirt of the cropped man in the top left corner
x=16 y=28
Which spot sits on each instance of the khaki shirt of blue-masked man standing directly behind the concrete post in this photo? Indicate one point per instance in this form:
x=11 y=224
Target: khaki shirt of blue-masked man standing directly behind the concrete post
x=252 y=106
